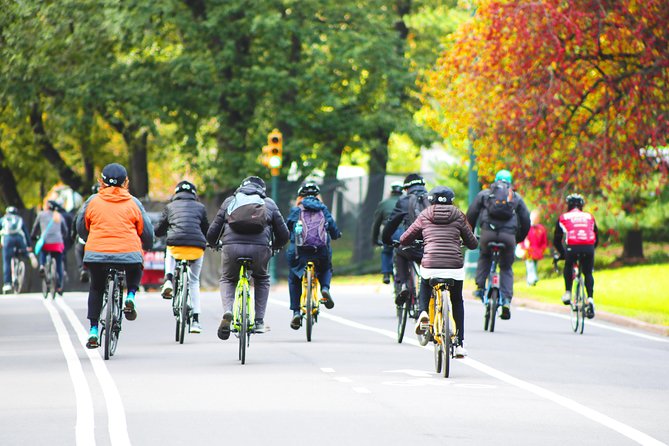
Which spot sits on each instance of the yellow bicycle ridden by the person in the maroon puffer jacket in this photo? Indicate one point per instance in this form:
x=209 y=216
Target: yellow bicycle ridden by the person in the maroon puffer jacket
x=441 y=328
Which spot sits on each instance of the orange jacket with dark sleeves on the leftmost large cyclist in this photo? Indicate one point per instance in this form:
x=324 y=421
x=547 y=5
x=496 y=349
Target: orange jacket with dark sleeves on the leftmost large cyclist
x=115 y=227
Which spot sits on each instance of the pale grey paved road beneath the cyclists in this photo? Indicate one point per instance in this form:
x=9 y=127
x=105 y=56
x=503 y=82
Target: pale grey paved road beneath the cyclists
x=531 y=382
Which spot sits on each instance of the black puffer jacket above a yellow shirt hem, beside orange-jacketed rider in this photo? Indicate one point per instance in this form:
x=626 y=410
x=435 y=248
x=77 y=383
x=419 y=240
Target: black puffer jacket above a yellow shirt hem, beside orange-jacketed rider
x=184 y=220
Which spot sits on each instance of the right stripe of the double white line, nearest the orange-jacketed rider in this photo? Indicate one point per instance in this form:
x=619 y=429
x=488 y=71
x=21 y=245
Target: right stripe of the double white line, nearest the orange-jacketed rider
x=117 y=426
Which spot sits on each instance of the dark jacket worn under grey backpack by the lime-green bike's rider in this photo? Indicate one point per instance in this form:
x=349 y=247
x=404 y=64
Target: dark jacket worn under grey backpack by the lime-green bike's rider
x=275 y=233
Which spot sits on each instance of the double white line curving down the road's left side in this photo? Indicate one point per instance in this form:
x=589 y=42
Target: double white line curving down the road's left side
x=85 y=426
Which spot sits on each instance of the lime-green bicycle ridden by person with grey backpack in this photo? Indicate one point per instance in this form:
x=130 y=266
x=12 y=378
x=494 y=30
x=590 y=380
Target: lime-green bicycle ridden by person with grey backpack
x=243 y=308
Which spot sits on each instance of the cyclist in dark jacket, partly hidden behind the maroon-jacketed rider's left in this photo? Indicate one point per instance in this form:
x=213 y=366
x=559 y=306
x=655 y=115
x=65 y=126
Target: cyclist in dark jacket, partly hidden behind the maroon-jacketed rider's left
x=401 y=218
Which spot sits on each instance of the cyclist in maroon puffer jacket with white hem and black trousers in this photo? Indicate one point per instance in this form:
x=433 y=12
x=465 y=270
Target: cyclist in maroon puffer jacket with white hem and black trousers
x=443 y=228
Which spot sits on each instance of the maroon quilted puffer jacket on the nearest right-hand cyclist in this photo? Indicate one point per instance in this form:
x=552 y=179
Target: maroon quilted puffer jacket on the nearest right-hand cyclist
x=442 y=228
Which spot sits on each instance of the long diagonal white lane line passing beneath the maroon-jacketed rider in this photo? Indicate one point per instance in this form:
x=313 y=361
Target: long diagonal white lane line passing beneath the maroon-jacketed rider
x=621 y=428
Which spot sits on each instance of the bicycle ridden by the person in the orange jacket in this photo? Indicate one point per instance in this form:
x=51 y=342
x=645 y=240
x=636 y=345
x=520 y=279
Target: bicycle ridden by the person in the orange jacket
x=111 y=314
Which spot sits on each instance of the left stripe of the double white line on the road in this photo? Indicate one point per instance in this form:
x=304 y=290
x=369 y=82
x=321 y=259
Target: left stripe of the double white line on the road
x=85 y=426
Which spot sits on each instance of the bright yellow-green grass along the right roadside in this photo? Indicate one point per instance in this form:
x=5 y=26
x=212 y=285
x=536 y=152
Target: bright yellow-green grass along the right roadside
x=640 y=292
